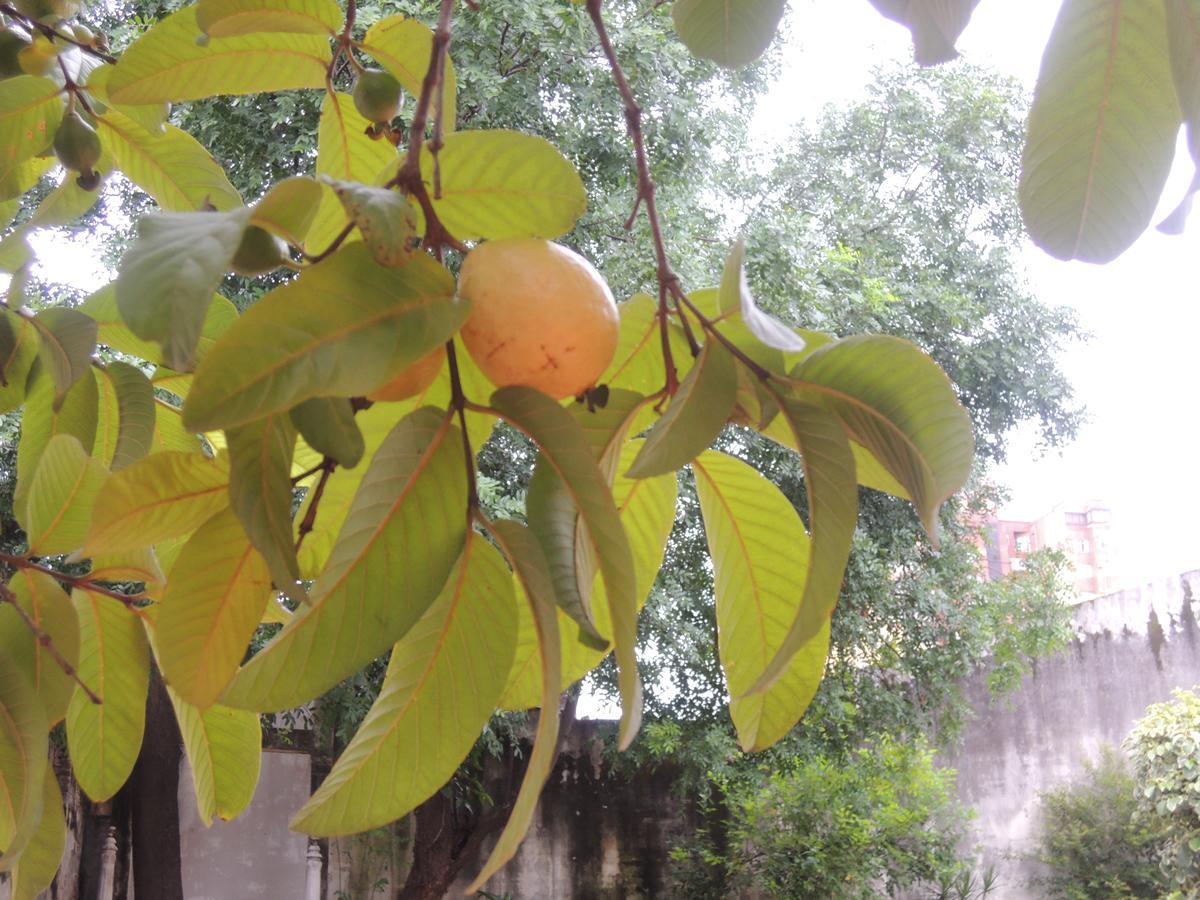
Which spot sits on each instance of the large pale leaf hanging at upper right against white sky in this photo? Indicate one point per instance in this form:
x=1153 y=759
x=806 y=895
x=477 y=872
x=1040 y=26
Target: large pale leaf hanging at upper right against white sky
x=1101 y=133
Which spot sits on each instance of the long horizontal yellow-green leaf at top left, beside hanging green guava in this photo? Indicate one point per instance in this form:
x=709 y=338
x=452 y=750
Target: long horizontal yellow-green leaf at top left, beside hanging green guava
x=167 y=64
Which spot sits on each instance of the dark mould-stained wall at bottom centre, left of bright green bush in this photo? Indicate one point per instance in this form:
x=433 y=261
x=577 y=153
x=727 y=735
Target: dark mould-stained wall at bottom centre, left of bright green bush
x=596 y=836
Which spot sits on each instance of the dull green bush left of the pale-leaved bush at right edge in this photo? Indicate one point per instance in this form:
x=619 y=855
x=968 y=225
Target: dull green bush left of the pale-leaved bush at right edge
x=1094 y=839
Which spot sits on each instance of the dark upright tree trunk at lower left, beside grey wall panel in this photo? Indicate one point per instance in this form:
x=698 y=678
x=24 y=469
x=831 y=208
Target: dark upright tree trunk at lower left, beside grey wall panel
x=154 y=802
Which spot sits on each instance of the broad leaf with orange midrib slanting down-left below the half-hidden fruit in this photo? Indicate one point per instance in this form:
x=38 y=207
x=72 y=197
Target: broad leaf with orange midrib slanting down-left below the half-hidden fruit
x=409 y=517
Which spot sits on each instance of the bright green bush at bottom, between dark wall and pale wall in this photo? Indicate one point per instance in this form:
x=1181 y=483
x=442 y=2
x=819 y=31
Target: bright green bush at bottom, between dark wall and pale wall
x=881 y=821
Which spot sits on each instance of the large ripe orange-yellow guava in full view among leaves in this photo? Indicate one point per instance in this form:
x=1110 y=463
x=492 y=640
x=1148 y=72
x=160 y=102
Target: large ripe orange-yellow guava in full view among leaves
x=542 y=316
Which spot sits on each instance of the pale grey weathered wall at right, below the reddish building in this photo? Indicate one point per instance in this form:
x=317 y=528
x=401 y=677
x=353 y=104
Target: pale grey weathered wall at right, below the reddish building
x=1132 y=650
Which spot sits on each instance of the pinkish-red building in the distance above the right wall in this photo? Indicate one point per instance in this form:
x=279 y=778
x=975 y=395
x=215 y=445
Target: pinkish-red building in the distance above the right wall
x=1081 y=531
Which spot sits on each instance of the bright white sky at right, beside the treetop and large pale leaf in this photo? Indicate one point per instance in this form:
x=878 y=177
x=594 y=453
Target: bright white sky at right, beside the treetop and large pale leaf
x=1135 y=375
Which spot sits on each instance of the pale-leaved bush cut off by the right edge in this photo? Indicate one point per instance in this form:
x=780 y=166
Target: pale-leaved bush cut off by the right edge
x=1165 y=747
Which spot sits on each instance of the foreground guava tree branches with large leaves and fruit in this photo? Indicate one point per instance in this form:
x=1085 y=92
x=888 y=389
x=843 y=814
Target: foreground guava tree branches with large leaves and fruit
x=172 y=466
